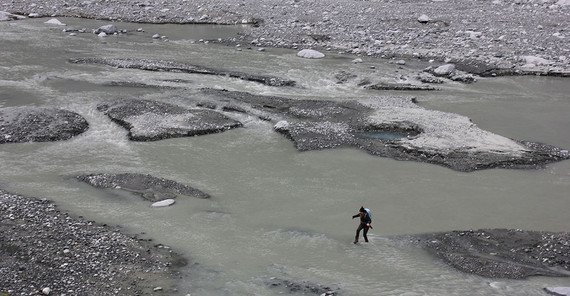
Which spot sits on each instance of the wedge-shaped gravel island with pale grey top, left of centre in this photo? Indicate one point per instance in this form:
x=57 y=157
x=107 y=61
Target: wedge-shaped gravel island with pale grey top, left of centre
x=151 y=120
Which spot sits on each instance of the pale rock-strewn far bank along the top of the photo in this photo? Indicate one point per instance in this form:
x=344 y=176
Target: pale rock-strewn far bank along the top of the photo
x=482 y=37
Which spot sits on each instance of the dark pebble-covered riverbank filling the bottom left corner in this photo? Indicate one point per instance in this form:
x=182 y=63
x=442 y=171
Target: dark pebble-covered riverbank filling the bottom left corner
x=42 y=248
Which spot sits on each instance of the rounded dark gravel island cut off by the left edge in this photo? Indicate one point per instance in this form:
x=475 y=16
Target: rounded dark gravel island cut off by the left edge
x=34 y=124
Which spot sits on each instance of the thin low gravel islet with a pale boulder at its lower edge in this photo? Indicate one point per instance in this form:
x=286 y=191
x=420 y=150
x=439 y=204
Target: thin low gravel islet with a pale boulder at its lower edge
x=149 y=187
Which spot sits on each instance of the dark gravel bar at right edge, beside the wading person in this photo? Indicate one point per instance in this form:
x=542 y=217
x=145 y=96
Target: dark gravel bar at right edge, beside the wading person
x=502 y=253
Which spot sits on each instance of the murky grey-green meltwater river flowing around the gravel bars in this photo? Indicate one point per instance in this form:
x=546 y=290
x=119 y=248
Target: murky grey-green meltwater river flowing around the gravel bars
x=275 y=211
